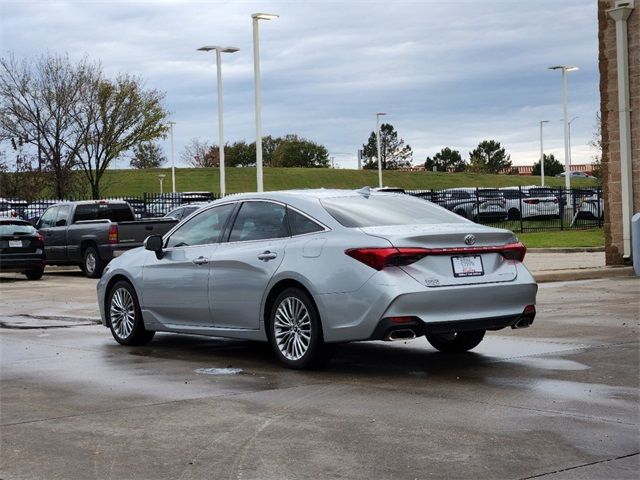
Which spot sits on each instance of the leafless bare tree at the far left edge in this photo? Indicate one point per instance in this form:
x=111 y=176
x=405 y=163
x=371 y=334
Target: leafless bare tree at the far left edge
x=39 y=101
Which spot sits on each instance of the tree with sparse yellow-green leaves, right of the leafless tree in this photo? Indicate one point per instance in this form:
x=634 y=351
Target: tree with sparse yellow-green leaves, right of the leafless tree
x=116 y=116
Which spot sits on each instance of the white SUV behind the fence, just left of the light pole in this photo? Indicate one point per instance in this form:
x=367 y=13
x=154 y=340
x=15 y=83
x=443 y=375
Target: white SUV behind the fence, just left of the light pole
x=528 y=203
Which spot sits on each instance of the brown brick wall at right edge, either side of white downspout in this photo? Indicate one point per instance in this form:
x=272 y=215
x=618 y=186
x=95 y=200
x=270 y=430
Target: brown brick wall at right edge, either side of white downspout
x=610 y=124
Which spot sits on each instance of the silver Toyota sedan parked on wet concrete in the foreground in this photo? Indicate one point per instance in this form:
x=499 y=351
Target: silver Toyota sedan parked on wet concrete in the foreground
x=308 y=269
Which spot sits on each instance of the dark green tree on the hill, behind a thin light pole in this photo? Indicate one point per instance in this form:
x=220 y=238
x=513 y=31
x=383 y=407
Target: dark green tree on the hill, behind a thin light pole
x=394 y=153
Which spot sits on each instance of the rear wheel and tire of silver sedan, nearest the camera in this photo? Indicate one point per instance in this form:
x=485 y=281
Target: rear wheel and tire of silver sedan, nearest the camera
x=295 y=331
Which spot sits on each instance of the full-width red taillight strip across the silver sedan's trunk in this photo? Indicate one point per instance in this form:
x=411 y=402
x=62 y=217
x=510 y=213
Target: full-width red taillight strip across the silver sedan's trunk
x=379 y=258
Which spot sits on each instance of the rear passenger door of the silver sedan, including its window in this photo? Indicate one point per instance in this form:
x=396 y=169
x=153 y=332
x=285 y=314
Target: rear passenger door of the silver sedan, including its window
x=244 y=265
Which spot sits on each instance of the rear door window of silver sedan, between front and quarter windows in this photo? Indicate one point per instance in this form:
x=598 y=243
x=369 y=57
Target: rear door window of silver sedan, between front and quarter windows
x=259 y=221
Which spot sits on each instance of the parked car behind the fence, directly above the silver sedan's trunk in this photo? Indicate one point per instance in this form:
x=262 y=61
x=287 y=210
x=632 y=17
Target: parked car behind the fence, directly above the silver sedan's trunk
x=479 y=205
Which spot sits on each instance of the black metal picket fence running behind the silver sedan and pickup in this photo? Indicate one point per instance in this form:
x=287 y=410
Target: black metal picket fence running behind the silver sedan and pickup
x=519 y=209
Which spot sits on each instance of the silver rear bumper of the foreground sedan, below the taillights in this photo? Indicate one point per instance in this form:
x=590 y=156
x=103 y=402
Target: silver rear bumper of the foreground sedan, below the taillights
x=357 y=315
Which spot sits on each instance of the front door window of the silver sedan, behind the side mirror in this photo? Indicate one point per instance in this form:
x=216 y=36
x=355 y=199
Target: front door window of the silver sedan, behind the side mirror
x=202 y=229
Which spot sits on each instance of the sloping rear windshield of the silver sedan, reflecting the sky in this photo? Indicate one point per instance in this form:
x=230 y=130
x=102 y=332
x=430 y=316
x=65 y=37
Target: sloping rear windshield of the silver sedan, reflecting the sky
x=381 y=210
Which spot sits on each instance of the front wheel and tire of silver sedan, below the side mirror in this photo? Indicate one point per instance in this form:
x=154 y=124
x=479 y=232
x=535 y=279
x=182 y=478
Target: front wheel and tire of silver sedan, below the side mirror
x=124 y=317
